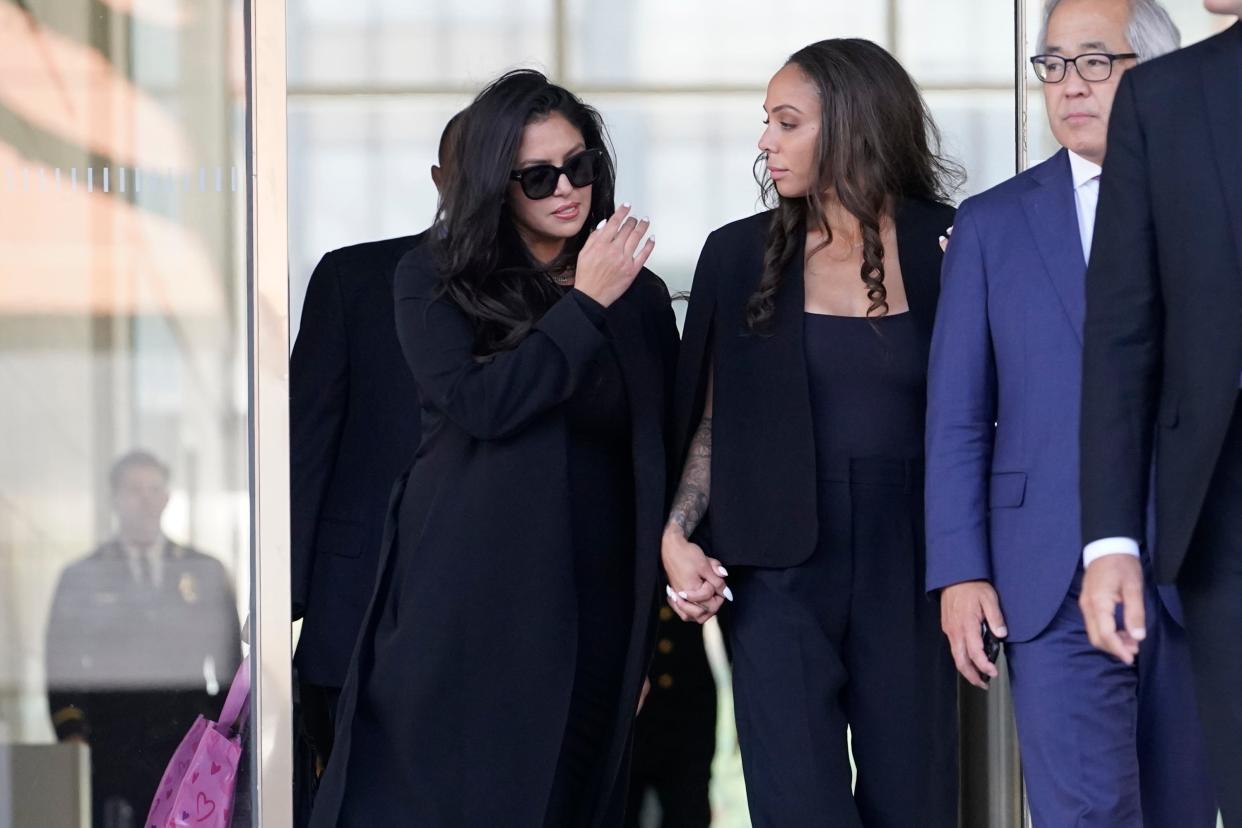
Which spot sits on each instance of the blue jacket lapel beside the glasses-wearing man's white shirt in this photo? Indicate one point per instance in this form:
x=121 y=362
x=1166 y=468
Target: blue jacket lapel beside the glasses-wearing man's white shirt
x=1054 y=218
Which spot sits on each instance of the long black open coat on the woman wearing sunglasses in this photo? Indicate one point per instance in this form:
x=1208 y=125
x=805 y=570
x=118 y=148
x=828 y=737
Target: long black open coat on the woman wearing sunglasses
x=476 y=683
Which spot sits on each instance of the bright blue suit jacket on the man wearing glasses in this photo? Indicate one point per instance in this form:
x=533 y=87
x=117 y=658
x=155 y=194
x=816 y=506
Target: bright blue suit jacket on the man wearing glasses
x=1004 y=393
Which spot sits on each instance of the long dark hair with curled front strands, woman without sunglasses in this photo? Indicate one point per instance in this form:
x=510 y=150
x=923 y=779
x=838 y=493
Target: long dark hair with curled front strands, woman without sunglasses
x=877 y=146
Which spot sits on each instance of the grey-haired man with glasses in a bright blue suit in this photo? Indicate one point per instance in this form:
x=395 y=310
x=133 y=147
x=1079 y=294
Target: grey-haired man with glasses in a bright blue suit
x=1102 y=743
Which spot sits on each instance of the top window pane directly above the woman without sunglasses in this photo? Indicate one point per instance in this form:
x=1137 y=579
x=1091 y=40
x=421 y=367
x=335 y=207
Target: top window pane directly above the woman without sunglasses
x=705 y=42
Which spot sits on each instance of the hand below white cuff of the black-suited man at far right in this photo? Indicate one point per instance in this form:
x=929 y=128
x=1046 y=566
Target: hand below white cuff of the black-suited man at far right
x=1113 y=580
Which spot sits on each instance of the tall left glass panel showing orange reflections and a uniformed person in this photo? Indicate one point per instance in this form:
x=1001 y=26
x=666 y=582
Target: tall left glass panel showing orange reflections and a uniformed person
x=125 y=531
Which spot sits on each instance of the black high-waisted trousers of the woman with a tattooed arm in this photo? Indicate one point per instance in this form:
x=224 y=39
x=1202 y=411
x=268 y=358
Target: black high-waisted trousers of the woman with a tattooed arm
x=848 y=639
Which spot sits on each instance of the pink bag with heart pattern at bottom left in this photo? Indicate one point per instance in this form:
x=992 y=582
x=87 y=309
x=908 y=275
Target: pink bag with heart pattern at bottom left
x=198 y=785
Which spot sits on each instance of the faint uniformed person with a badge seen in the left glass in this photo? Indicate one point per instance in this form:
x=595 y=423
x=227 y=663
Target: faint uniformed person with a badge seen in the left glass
x=142 y=639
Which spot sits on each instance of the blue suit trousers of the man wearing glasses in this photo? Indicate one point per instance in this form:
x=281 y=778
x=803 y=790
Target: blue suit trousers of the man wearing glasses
x=1105 y=744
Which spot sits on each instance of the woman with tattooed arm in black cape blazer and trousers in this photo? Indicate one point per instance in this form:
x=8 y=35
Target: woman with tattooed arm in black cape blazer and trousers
x=802 y=397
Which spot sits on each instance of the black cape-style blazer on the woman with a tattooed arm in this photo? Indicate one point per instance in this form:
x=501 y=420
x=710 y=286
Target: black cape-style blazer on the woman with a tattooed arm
x=764 y=508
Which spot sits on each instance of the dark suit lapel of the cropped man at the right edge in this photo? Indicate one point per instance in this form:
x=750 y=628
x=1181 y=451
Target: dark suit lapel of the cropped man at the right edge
x=1224 y=100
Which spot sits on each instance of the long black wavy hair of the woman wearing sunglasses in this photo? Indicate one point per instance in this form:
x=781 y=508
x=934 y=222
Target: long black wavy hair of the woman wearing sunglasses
x=487 y=270
